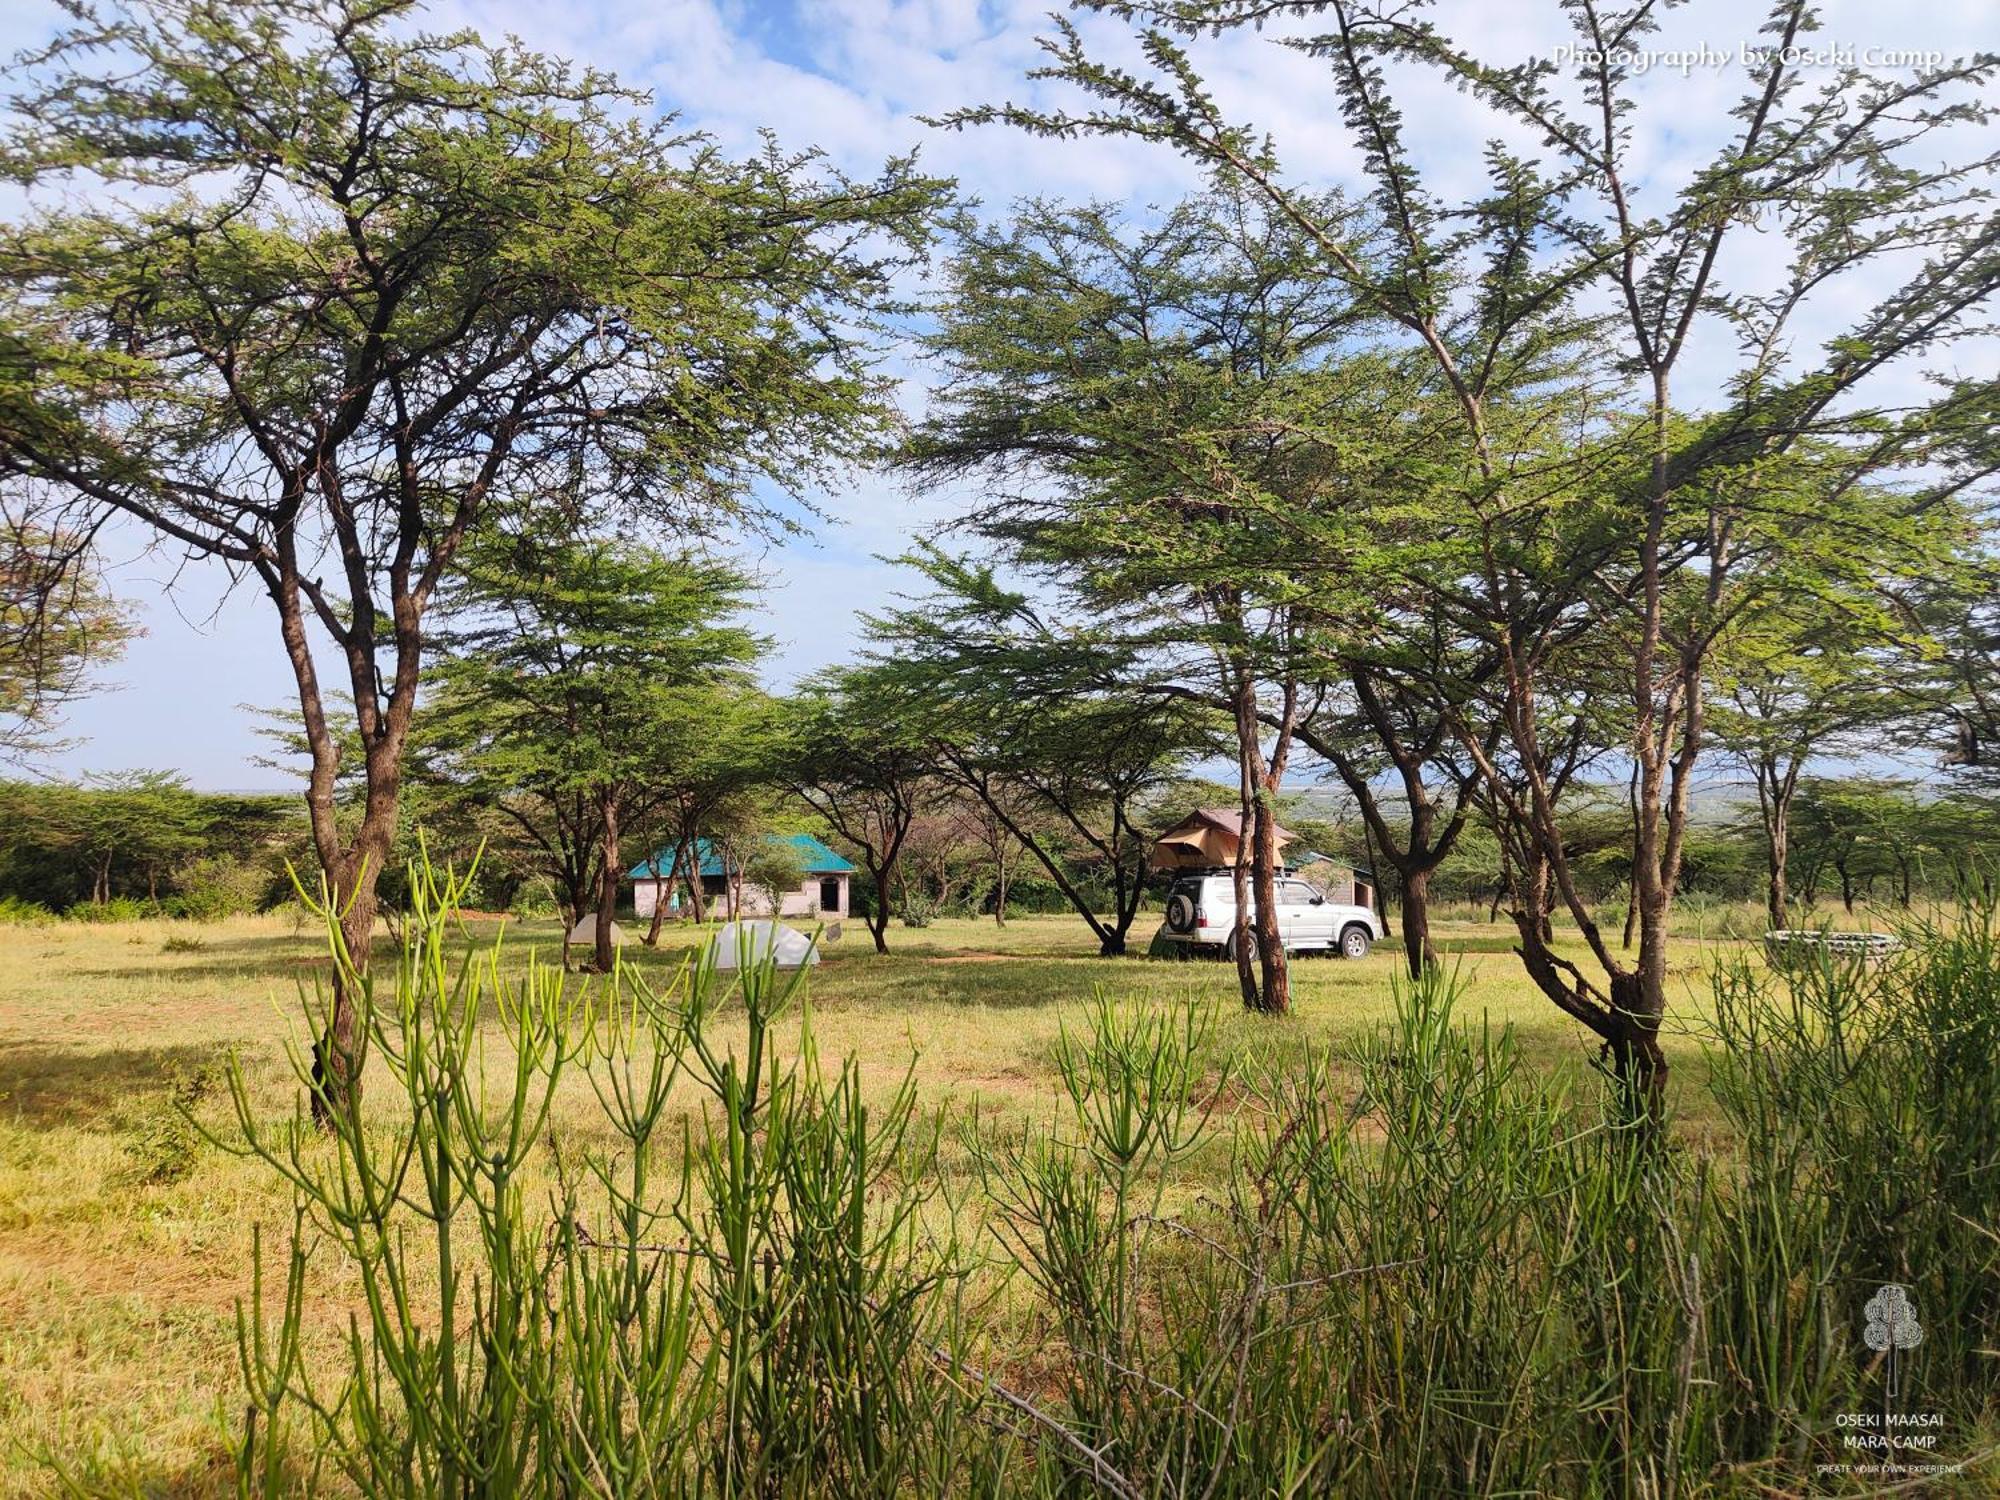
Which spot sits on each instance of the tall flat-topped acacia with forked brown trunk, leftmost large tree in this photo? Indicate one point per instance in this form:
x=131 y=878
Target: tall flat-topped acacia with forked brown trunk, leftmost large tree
x=343 y=287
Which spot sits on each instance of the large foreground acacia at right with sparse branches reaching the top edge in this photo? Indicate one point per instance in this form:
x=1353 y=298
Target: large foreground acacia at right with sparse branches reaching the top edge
x=1847 y=179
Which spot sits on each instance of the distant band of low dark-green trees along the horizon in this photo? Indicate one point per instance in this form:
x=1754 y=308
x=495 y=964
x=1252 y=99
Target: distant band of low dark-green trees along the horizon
x=133 y=845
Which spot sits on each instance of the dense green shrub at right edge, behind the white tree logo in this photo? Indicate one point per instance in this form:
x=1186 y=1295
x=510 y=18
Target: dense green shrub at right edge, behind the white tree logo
x=1865 y=1105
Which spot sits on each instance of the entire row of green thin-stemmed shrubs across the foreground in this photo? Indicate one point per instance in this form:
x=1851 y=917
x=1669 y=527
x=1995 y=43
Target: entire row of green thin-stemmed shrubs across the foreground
x=1429 y=1267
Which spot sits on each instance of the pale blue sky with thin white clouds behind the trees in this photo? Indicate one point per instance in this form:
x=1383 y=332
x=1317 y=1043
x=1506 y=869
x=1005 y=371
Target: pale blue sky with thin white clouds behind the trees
x=853 y=77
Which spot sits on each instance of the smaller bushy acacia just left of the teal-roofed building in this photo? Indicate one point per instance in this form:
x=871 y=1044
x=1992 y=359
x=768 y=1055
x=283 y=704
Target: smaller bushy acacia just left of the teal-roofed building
x=571 y=673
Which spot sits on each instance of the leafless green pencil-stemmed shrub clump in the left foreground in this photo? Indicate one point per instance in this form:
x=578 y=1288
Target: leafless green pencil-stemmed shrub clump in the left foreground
x=723 y=1305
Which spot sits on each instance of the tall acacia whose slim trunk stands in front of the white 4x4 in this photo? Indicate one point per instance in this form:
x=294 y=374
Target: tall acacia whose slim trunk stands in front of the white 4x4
x=1151 y=409
